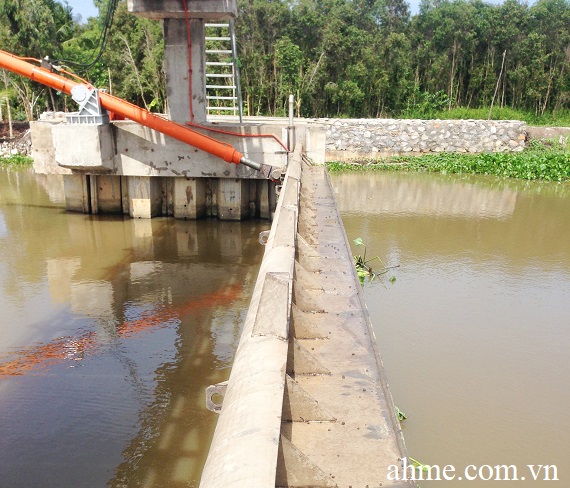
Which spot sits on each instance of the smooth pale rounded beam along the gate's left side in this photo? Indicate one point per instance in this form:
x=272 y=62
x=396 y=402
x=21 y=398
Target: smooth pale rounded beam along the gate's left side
x=244 y=451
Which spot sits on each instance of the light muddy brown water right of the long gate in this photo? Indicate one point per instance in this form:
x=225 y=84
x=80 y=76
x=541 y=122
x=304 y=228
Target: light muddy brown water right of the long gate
x=475 y=331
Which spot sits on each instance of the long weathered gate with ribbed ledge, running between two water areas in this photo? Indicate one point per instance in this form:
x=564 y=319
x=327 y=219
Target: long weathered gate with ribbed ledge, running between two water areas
x=307 y=403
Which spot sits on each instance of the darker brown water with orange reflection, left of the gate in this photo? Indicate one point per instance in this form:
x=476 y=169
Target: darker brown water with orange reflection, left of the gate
x=110 y=330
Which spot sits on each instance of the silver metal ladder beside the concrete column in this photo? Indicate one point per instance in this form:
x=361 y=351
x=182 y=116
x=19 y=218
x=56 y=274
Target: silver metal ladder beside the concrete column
x=223 y=91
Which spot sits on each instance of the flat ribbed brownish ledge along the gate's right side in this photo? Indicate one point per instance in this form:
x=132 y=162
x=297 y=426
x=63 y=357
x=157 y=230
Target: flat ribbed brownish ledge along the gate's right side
x=332 y=323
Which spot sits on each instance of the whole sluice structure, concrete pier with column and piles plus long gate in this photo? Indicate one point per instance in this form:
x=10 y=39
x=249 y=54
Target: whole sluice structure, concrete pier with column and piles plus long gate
x=307 y=403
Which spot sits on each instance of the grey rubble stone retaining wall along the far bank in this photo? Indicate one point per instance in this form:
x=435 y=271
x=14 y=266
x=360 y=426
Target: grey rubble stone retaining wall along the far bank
x=372 y=138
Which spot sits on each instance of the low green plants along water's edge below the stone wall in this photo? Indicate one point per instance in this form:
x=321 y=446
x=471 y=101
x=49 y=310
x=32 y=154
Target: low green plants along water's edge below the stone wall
x=542 y=160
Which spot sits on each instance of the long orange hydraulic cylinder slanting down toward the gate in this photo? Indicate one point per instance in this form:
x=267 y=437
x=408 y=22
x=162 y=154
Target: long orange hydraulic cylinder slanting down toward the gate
x=127 y=110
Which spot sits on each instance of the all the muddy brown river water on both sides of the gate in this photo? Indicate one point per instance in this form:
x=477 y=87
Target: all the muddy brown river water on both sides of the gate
x=111 y=328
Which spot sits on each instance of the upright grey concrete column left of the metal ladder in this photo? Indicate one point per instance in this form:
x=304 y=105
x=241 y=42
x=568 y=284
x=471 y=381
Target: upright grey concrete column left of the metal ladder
x=177 y=72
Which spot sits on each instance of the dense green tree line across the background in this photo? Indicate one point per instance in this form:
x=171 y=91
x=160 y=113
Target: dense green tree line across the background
x=361 y=58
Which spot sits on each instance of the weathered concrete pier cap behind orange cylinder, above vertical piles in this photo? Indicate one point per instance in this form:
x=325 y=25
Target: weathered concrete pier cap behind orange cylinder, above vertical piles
x=140 y=151
